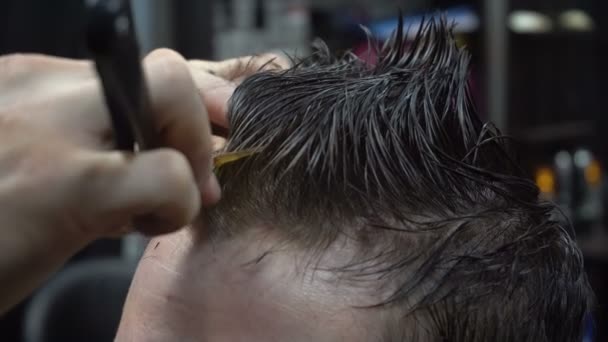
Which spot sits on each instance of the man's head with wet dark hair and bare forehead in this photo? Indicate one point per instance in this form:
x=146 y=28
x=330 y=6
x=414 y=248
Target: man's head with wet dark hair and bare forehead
x=374 y=206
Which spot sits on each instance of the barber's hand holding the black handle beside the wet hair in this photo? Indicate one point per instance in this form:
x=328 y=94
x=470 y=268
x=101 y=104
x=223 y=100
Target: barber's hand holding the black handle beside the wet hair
x=62 y=186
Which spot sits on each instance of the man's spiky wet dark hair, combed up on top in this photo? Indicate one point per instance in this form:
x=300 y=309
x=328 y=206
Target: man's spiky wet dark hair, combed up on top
x=393 y=155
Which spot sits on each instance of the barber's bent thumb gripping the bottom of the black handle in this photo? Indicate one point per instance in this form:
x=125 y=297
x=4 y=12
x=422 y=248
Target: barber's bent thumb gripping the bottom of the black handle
x=154 y=192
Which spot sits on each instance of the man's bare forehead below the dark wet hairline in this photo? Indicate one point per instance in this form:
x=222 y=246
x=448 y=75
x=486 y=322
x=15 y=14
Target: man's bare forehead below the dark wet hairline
x=248 y=284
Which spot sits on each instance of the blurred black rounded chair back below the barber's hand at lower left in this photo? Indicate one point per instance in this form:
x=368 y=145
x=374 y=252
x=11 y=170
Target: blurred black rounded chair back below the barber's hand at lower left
x=83 y=302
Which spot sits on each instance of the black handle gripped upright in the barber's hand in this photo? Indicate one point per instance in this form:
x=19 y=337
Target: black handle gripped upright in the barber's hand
x=111 y=40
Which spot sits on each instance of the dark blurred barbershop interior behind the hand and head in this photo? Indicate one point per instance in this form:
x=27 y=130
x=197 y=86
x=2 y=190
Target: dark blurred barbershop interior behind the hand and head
x=539 y=73
